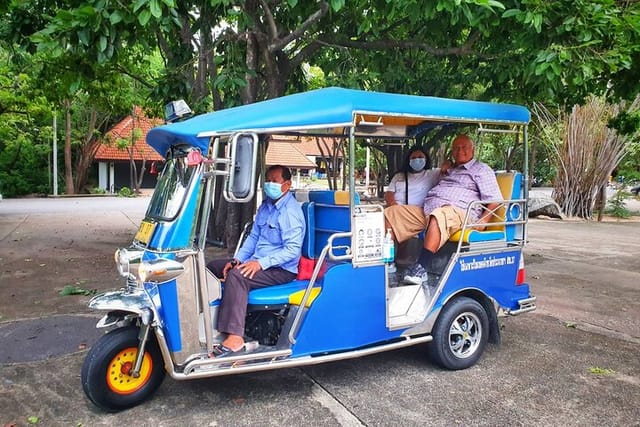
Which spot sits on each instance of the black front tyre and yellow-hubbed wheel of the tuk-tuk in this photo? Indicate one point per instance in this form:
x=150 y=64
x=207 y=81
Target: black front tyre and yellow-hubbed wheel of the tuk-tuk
x=106 y=377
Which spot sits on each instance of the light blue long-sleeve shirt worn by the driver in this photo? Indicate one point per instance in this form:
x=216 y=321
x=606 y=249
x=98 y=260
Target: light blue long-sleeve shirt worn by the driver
x=276 y=236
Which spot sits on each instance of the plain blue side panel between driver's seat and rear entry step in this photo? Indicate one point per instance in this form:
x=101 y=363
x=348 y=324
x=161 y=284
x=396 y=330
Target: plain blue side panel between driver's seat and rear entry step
x=350 y=312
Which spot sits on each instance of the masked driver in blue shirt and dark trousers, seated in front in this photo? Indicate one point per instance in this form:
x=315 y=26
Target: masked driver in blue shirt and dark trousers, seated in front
x=269 y=256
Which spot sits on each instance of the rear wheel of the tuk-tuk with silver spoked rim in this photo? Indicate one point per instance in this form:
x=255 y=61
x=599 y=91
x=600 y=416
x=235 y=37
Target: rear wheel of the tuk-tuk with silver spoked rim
x=460 y=334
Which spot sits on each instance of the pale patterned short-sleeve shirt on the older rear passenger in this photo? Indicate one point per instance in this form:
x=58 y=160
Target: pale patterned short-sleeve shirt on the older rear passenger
x=462 y=185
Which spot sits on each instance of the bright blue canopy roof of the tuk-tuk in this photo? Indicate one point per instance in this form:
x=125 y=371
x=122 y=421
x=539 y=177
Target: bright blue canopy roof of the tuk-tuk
x=330 y=110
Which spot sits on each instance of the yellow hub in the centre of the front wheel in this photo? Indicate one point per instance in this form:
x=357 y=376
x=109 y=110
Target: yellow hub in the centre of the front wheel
x=119 y=378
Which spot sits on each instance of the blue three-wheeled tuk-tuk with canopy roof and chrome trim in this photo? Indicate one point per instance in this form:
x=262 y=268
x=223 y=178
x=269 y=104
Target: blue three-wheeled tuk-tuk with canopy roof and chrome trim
x=351 y=305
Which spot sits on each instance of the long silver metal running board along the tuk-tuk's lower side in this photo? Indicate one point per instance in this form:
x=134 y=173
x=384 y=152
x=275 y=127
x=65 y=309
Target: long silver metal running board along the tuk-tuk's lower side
x=262 y=361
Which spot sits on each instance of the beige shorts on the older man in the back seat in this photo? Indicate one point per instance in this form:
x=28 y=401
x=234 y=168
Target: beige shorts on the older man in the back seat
x=408 y=221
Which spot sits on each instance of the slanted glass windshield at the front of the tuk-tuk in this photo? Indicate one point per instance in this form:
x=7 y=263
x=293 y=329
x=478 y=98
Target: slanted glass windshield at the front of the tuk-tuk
x=171 y=188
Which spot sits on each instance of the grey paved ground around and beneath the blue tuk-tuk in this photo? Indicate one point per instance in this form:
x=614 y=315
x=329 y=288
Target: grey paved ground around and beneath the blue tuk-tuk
x=572 y=362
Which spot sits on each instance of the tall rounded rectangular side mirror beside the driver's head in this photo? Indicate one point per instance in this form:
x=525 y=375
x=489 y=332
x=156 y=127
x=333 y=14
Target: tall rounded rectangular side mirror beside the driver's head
x=242 y=171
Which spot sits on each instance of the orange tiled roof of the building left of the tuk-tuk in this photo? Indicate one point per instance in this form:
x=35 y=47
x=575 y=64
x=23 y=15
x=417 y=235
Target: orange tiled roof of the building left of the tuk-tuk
x=123 y=130
